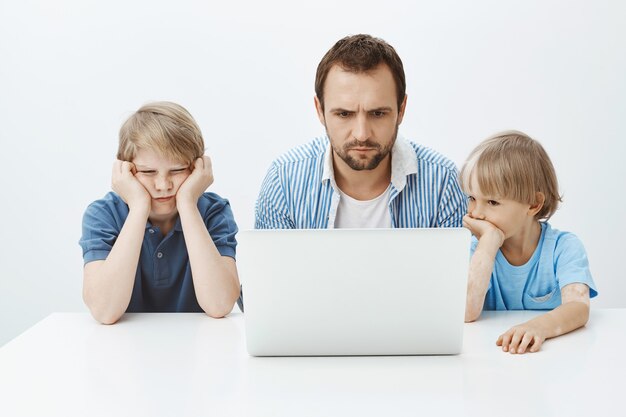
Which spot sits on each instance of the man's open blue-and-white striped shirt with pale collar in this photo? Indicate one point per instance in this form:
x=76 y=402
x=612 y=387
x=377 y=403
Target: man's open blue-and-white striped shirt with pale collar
x=299 y=190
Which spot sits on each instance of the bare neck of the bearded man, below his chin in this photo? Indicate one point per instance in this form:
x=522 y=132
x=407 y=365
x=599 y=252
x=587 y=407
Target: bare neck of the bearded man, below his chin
x=362 y=185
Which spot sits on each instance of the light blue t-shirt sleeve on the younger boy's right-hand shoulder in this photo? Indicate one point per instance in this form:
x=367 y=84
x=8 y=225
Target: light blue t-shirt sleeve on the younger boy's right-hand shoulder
x=571 y=264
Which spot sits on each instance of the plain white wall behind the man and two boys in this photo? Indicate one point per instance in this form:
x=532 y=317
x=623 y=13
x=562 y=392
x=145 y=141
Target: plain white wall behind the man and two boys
x=72 y=70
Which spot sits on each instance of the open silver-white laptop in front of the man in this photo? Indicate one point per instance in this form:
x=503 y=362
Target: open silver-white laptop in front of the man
x=338 y=292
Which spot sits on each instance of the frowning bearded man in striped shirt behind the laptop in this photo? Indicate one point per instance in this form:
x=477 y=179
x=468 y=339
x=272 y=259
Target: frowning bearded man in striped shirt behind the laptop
x=360 y=175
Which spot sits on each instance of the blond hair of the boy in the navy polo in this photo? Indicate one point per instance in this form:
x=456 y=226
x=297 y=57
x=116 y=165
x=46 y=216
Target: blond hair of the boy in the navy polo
x=164 y=127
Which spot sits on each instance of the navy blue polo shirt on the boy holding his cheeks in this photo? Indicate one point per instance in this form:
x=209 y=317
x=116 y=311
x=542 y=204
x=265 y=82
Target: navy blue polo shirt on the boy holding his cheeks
x=163 y=281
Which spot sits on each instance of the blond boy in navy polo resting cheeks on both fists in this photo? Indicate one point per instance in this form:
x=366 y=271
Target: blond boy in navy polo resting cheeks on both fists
x=159 y=242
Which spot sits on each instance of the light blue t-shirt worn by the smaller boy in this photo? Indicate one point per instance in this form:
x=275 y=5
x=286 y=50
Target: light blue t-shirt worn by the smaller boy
x=558 y=260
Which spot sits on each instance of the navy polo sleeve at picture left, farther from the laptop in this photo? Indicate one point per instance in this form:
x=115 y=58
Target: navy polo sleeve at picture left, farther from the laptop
x=101 y=226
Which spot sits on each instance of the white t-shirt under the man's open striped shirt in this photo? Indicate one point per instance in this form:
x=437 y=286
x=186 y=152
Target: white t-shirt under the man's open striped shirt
x=359 y=214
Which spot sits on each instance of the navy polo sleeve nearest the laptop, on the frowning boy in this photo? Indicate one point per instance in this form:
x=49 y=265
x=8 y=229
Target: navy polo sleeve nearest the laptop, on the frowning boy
x=221 y=225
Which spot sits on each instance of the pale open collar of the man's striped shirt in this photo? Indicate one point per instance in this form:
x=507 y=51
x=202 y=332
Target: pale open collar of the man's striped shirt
x=403 y=164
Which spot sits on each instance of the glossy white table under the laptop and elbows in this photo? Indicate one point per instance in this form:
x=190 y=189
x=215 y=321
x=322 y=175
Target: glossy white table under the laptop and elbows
x=189 y=364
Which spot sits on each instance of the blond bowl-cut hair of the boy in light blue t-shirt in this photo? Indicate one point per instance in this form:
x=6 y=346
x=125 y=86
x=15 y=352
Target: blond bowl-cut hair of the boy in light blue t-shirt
x=513 y=166
